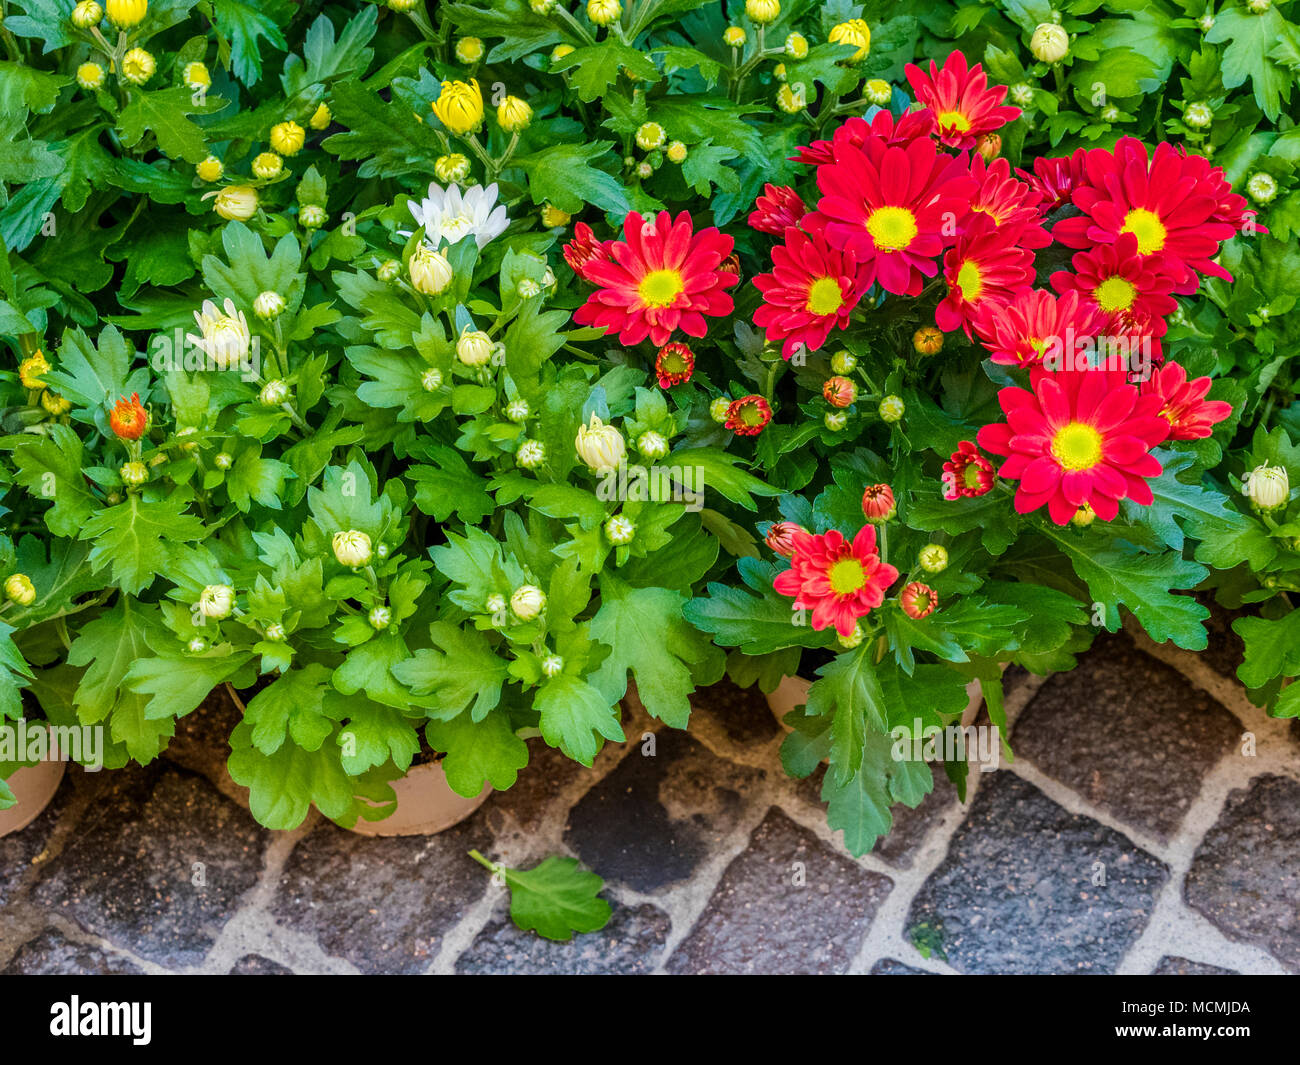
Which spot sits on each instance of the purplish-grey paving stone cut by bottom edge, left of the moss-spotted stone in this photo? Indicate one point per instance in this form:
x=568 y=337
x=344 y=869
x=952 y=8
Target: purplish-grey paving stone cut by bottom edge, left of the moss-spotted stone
x=760 y=921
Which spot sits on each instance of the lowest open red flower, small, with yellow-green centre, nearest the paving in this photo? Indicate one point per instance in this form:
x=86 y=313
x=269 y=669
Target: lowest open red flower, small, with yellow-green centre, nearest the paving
x=838 y=581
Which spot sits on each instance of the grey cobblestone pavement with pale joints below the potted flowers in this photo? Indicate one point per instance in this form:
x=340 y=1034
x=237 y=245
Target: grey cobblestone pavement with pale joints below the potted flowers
x=1130 y=835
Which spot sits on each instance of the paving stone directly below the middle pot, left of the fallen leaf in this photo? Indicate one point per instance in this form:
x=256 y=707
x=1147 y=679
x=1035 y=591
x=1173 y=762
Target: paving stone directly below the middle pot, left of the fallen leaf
x=384 y=904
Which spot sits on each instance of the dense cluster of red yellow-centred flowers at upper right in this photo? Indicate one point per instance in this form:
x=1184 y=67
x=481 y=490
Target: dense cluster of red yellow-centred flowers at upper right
x=905 y=200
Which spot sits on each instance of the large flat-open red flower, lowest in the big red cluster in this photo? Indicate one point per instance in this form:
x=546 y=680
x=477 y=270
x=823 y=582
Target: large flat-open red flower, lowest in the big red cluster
x=1077 y=439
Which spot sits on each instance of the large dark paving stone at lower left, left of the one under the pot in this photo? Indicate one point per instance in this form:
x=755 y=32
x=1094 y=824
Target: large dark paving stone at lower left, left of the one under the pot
x=132 y=872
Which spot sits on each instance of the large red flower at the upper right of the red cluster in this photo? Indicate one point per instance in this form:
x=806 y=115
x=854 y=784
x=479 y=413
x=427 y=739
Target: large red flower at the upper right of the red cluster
x=1167 y=201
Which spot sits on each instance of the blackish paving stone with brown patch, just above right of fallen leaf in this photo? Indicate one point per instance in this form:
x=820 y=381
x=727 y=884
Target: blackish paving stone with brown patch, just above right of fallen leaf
x=653 y=820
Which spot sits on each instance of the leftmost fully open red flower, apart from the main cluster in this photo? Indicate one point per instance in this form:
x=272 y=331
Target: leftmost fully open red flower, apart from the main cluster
x=662 y=278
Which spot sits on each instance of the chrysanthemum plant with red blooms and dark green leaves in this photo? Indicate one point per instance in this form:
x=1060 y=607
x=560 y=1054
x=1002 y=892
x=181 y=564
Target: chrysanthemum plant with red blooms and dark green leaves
x=990 y=449
